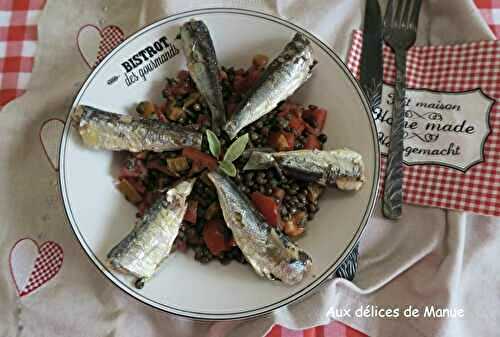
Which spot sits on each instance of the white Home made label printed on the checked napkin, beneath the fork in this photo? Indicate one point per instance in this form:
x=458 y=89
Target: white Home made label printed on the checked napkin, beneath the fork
x=442 y=128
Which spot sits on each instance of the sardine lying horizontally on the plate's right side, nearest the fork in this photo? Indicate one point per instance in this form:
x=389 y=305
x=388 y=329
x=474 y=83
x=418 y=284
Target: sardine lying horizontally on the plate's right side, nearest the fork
x=342 y=167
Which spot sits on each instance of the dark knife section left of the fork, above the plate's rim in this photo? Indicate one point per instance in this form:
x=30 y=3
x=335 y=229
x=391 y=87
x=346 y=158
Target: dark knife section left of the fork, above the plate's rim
x=371 y=67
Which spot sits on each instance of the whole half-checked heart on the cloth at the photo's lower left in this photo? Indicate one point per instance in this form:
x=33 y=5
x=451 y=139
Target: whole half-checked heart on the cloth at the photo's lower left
x=32 y=265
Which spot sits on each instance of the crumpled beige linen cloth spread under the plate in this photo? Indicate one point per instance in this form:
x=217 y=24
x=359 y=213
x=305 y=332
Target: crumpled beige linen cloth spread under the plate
x=429 y=257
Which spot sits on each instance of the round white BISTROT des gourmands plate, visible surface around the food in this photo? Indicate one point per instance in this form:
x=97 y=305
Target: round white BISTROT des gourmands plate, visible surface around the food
x=100 y=216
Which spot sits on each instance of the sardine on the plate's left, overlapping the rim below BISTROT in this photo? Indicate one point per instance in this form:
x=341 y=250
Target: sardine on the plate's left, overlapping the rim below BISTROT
x=107 y=130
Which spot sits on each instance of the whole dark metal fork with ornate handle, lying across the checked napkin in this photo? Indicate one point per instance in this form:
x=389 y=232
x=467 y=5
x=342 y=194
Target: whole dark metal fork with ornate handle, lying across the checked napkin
x=400 y=32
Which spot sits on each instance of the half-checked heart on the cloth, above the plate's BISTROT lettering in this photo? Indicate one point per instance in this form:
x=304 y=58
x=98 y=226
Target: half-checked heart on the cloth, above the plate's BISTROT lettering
x=95 y=43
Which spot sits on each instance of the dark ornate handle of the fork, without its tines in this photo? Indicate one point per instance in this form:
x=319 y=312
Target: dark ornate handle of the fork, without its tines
x=393 y=185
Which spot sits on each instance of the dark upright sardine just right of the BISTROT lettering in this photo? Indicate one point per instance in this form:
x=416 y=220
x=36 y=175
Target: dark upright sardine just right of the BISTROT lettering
x=202 y=64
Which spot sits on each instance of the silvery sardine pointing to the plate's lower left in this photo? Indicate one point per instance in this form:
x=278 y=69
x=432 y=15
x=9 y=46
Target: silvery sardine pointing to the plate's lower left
x=142 y=251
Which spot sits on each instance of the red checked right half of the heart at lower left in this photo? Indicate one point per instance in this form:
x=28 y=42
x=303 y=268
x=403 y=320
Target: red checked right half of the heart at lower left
x=47 y=264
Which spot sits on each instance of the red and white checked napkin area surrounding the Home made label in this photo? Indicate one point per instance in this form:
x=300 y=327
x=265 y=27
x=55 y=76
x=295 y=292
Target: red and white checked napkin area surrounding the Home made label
x=451 y=69
